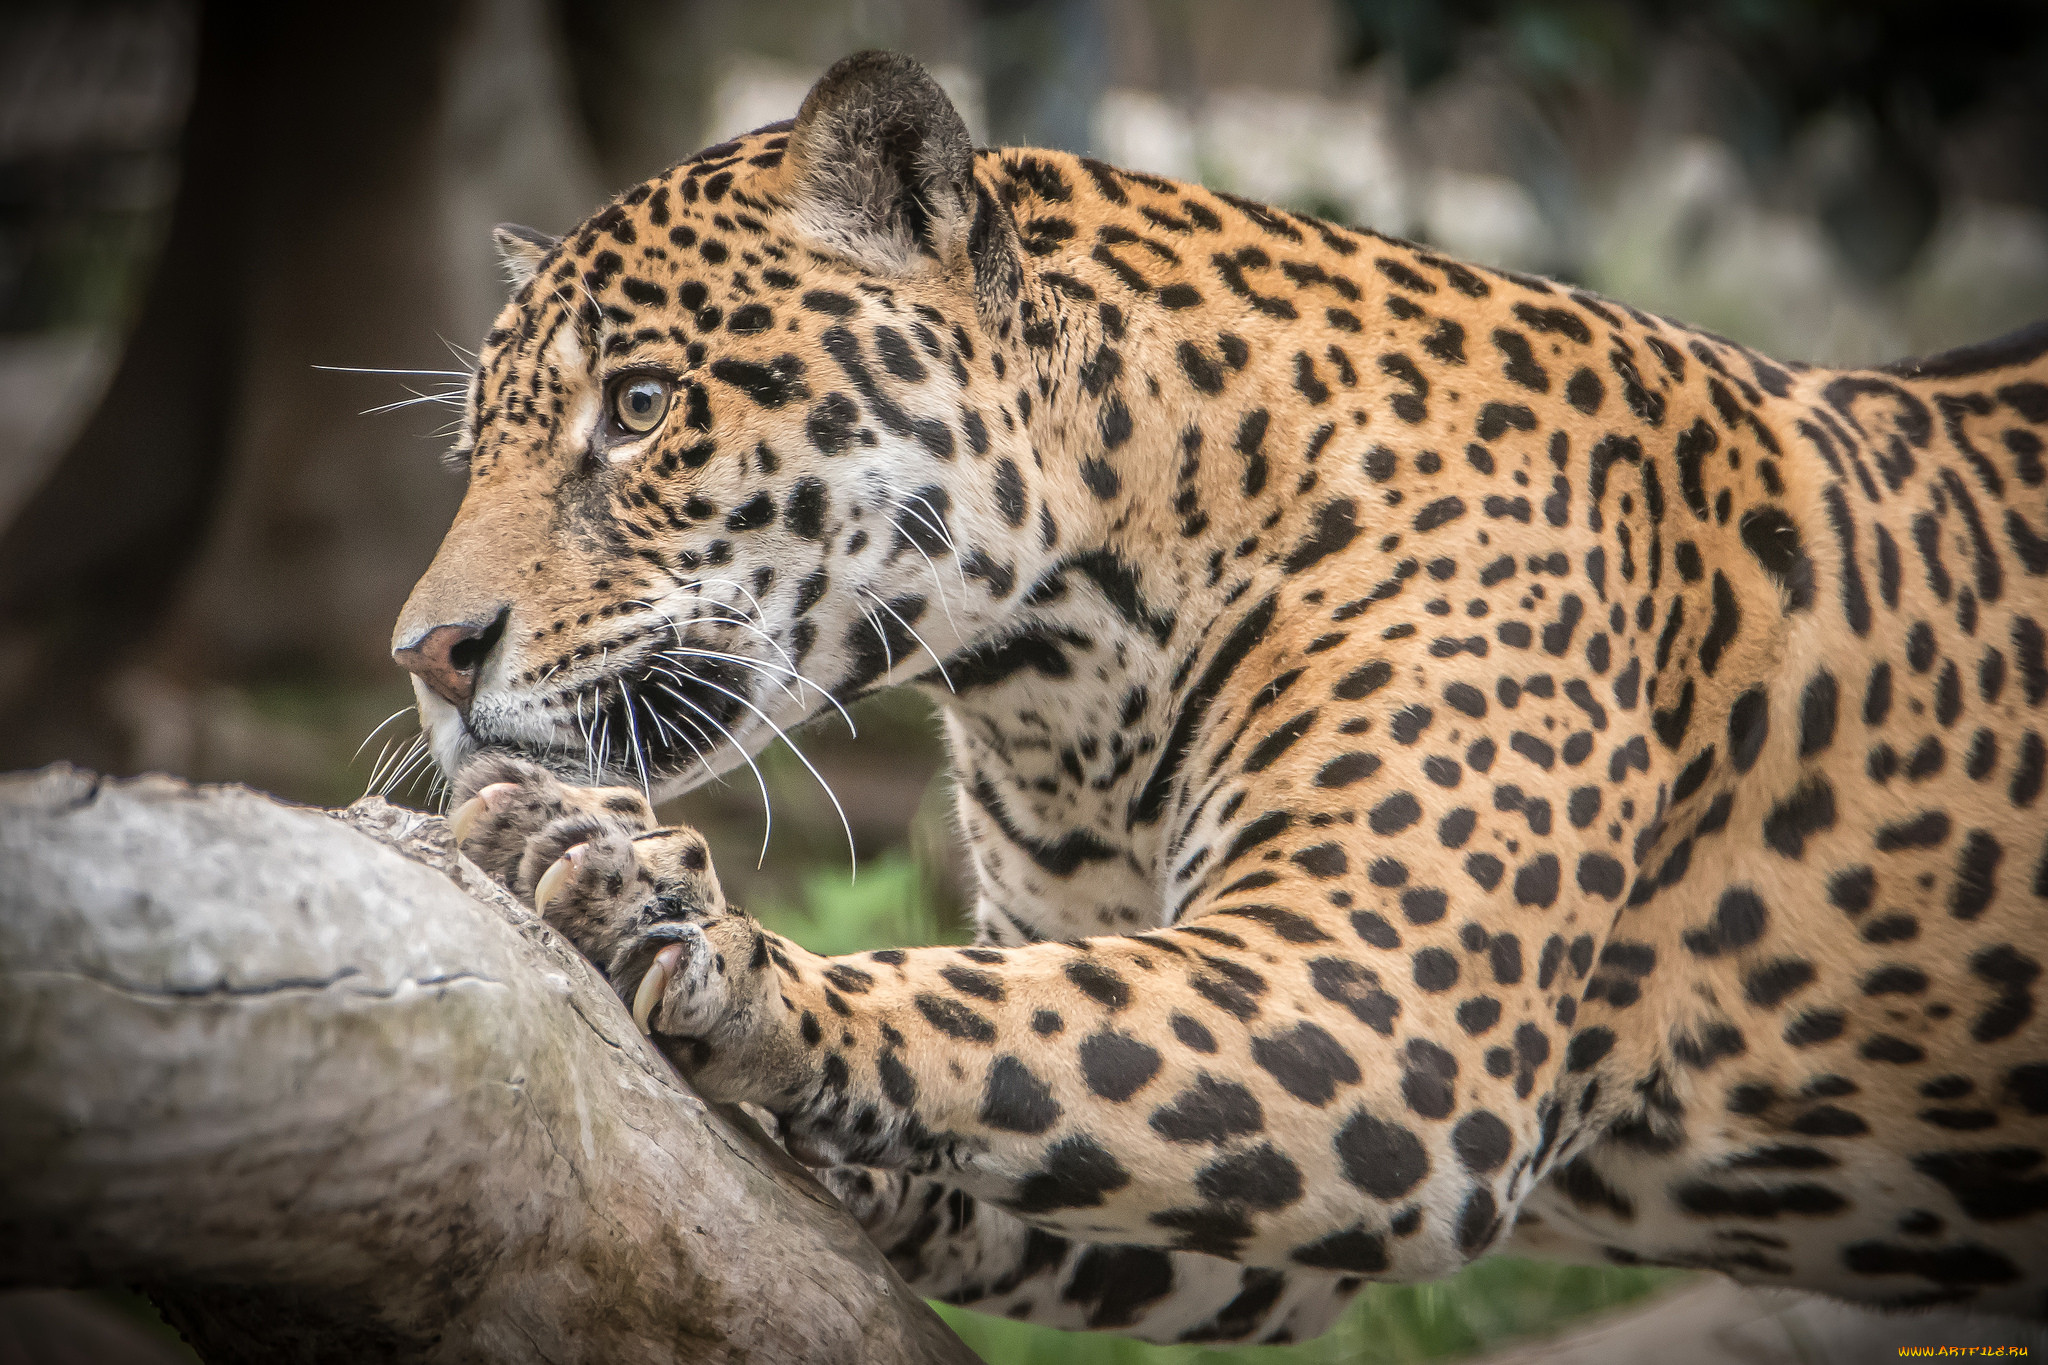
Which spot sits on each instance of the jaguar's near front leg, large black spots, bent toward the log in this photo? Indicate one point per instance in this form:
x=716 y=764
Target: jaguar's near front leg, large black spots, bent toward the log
x=1234 y=1088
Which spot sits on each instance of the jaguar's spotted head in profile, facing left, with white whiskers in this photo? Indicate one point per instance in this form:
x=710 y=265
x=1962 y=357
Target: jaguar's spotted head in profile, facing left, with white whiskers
x=740 y=447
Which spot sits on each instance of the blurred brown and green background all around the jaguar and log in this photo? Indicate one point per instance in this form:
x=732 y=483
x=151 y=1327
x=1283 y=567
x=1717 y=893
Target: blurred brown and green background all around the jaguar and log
x=206 y=531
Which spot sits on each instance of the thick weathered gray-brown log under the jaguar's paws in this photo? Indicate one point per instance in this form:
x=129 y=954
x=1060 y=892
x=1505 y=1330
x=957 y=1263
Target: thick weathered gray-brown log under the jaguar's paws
x=327 y=1094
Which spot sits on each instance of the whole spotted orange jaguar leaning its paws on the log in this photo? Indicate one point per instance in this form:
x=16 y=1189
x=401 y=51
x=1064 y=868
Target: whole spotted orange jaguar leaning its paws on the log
x=1449 y=762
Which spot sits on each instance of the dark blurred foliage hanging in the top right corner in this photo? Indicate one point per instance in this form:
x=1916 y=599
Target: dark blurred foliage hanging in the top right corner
x=1906 y=71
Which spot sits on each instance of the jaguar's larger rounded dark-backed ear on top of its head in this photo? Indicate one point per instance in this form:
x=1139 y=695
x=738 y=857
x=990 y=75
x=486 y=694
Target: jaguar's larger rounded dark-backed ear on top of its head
x=884 y=173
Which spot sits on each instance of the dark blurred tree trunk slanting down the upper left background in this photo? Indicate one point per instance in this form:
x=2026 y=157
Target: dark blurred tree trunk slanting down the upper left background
x=302 y=118
